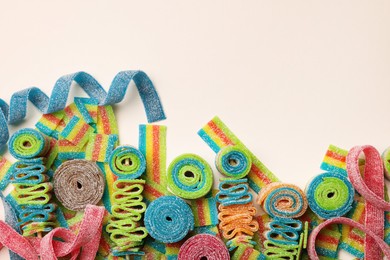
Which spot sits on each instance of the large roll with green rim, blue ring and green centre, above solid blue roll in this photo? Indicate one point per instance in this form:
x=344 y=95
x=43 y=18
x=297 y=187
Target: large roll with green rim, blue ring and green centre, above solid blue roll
x=189 y=176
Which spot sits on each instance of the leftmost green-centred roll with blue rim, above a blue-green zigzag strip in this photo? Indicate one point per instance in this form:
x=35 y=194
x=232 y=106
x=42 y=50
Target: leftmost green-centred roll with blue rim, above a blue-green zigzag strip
x=28 y=143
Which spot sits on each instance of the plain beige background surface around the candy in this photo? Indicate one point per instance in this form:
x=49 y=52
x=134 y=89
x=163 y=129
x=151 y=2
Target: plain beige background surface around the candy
x=288 y=77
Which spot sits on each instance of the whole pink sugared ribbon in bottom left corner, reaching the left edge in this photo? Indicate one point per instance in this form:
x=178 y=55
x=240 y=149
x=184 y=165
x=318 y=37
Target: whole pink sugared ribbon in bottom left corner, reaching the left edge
x=87 y=239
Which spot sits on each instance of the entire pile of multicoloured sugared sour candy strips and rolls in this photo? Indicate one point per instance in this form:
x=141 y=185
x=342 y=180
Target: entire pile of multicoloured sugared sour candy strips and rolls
x=74 y=191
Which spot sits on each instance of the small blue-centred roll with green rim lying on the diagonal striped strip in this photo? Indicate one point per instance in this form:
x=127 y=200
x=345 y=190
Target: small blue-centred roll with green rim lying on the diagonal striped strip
x=233 y=161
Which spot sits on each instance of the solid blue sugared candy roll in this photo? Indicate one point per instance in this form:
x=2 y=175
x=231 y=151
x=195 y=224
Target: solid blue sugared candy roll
x=169 y=219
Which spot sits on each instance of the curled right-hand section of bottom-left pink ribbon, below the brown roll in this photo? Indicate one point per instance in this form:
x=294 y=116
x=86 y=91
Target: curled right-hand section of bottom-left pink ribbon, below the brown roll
x=86 y=240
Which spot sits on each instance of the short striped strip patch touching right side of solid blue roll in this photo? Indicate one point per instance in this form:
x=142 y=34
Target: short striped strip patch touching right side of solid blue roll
x=205 y=211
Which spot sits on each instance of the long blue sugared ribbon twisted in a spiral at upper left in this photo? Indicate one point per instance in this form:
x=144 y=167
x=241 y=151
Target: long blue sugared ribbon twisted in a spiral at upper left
x=17 y=110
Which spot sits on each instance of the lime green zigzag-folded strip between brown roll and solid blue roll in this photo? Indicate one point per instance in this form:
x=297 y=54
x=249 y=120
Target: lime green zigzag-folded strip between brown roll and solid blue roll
x=127 y=210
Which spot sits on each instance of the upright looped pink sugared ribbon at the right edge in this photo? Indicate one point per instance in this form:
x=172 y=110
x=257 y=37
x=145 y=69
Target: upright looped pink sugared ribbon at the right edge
x=372 y=189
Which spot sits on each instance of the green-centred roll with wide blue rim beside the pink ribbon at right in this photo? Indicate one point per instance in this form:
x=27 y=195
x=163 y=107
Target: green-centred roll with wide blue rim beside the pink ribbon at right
x=330 y=195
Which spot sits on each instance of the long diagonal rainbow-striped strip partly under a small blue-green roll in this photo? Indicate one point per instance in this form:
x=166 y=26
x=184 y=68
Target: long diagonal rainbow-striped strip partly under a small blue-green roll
x=217 y=135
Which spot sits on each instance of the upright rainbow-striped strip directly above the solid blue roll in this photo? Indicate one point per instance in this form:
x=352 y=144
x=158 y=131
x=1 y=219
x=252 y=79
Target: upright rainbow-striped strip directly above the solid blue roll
x=152 y=143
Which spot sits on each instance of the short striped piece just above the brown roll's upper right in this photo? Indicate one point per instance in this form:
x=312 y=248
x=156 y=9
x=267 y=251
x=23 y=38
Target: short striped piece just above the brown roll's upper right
x=99 y=147
